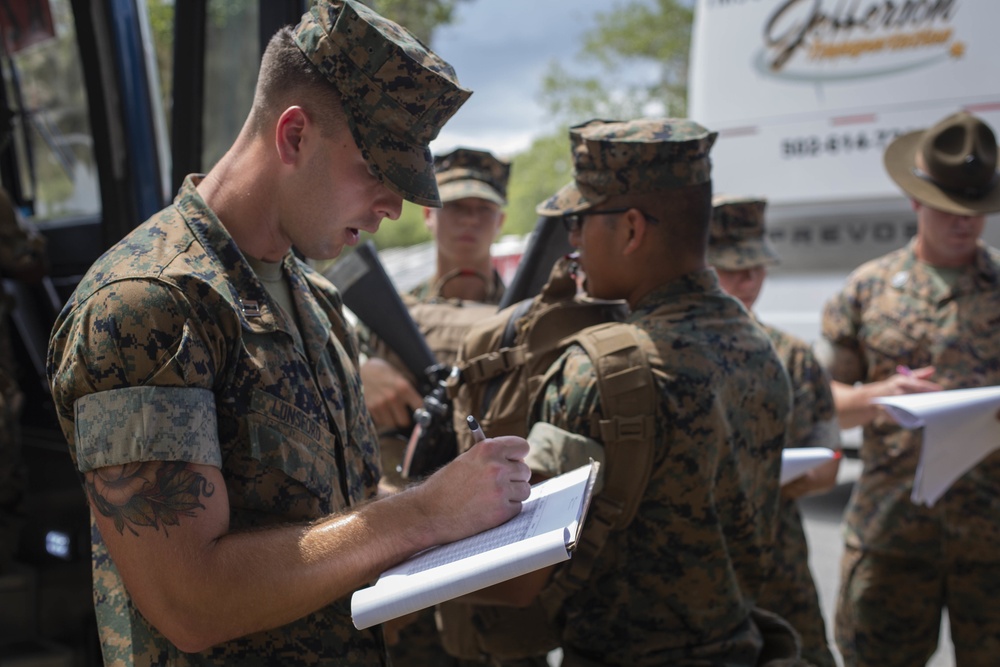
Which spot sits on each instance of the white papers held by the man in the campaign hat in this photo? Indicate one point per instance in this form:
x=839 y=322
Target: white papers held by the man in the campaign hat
x=960 y=430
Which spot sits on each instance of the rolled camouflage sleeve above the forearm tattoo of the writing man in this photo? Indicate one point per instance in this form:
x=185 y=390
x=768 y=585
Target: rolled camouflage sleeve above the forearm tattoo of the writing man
x=132 y=366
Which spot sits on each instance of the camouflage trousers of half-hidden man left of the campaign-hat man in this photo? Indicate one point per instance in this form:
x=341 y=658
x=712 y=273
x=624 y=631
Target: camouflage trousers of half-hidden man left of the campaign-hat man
x=791 y=592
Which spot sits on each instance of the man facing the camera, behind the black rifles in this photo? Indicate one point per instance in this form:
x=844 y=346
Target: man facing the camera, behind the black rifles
x=464 y=288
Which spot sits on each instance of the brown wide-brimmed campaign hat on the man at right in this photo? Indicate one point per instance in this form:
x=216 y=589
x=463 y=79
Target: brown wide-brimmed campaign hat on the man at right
x=950 y=167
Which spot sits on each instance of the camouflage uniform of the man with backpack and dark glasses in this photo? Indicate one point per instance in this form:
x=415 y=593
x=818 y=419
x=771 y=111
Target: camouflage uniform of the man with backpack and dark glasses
x=677 y=586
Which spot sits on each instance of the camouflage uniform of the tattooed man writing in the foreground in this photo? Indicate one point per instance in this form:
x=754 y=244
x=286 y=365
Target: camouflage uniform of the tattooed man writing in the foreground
x=172 y=323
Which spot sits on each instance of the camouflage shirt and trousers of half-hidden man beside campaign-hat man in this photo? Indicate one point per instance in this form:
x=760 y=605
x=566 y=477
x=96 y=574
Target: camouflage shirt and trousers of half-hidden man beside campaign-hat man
x=791 y=592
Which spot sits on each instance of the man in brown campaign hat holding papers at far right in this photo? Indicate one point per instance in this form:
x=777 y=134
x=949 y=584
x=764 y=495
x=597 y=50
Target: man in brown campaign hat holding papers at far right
x=922 y=318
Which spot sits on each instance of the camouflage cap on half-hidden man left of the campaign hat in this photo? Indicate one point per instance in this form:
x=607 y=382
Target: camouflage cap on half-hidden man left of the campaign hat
x=736 y=237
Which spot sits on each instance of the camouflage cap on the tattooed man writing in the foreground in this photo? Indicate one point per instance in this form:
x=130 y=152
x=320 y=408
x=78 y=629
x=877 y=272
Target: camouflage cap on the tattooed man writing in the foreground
x=396 y=92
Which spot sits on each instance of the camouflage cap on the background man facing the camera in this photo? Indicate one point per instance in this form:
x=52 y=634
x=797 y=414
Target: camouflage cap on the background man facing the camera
x=465 y=172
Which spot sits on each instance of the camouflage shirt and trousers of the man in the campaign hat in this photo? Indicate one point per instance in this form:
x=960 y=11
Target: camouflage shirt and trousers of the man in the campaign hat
x=904 y=561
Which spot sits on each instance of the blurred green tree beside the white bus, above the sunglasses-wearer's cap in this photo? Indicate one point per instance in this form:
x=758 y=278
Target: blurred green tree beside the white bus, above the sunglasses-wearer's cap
x=642 y=48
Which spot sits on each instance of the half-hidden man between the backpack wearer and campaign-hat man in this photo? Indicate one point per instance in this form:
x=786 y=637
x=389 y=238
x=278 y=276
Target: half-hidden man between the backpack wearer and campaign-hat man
x=740 y=254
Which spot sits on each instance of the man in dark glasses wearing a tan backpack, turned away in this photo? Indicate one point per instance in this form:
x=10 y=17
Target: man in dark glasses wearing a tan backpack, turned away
x=678 y=585
